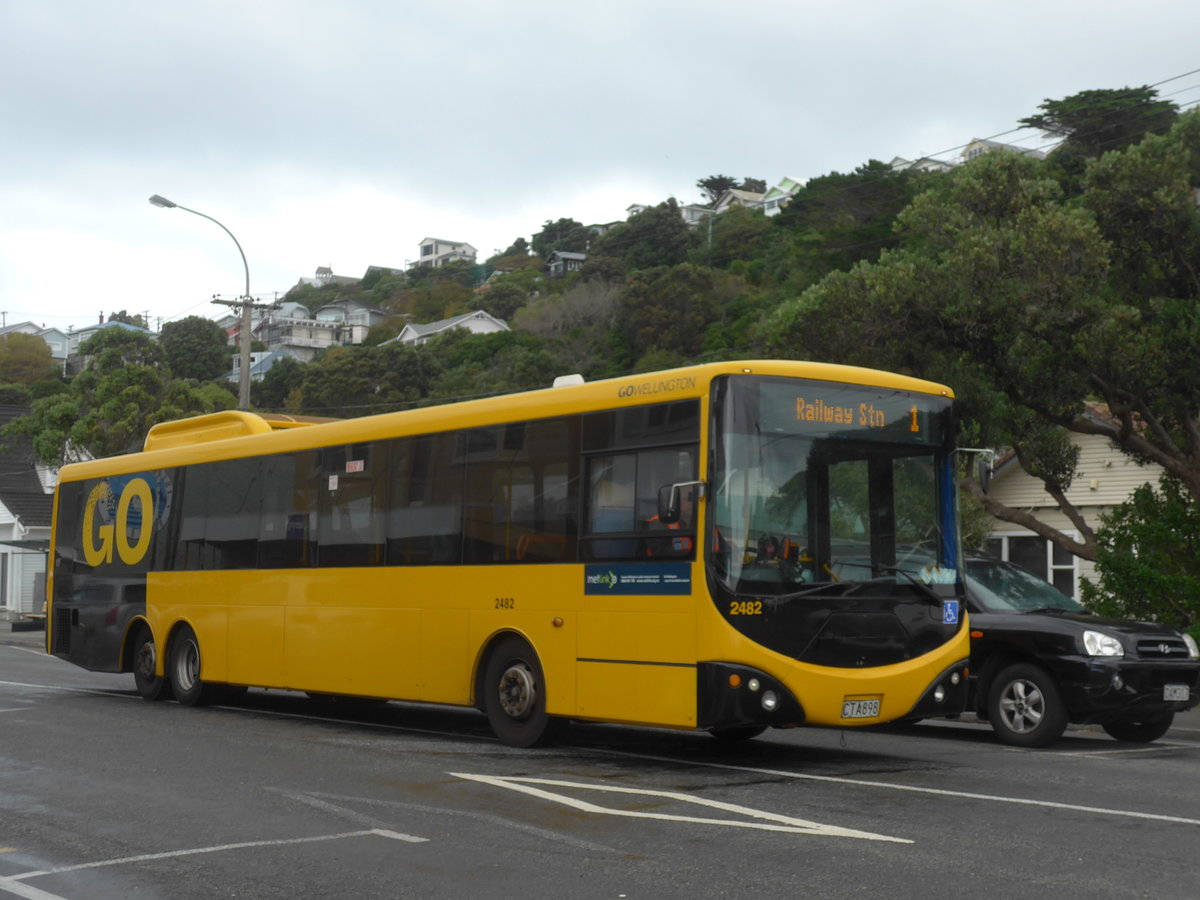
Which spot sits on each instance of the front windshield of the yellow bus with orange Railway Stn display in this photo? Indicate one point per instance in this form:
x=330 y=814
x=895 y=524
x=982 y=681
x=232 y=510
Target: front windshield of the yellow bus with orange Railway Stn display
x=821 y=483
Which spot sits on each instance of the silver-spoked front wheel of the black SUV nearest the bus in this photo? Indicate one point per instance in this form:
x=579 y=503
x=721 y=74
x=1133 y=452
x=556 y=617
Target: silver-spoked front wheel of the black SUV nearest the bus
x=1025 y=707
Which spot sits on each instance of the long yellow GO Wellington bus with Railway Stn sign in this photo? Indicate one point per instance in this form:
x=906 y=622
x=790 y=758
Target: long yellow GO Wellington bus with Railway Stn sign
x=723 y=548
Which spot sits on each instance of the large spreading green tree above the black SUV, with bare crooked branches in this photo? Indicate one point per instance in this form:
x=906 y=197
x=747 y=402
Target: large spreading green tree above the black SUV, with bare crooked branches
x=1030 y=304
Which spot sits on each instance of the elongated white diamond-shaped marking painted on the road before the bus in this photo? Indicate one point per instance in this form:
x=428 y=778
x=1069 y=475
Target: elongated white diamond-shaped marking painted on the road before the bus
x=771 y=821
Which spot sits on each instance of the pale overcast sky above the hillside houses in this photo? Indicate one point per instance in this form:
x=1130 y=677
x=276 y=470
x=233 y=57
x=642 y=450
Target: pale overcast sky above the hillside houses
x=341 y=134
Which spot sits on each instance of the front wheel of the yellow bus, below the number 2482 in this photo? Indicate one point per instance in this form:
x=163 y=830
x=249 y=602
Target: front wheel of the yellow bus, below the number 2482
x=515 y=695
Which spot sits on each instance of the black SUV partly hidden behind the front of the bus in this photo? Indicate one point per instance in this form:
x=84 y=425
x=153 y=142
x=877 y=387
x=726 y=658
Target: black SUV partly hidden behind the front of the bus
x=1040 y=661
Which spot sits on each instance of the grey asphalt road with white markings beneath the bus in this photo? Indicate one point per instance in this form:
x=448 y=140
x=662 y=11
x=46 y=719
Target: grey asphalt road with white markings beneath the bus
x=106 y=796
